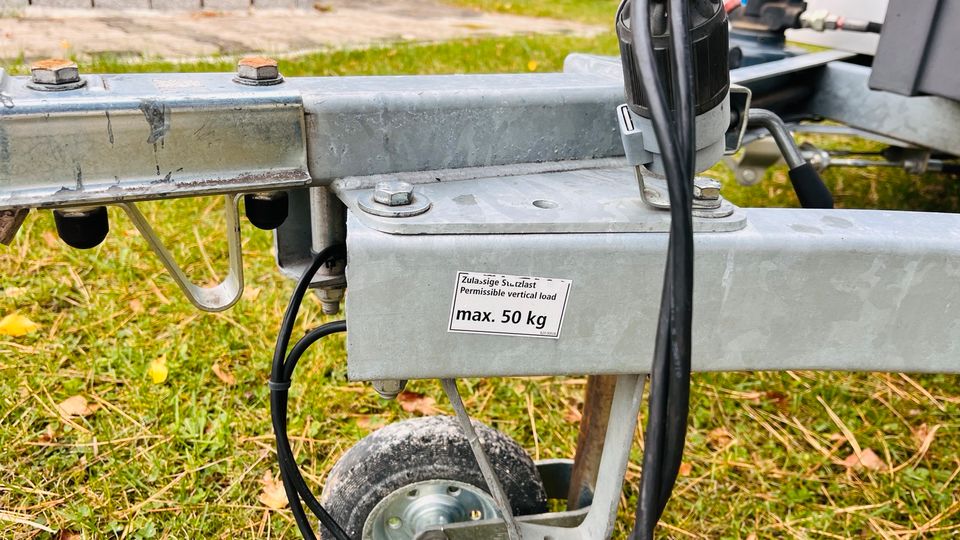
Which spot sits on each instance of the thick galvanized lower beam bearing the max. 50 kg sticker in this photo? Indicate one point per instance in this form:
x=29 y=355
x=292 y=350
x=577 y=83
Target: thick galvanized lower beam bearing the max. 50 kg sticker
x=795 y=289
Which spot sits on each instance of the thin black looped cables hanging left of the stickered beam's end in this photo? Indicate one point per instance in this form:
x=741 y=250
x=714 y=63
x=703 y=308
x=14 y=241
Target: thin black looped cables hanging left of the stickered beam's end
x=280 y=376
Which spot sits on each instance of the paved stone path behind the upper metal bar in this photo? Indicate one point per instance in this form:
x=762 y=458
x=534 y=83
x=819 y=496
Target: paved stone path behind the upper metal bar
x=128 y=29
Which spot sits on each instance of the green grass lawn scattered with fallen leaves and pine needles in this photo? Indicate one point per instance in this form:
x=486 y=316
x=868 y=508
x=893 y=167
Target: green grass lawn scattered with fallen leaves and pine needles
x=187 y=457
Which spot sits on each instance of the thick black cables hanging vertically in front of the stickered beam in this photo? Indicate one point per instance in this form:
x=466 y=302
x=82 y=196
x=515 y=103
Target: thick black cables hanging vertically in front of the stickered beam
x=669 y=377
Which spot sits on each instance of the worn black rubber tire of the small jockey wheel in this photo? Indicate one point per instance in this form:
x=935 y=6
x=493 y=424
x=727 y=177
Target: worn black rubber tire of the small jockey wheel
x=427 y=448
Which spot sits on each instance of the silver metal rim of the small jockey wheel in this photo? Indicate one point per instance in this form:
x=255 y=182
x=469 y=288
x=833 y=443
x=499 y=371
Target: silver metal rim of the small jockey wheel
x=413 y=508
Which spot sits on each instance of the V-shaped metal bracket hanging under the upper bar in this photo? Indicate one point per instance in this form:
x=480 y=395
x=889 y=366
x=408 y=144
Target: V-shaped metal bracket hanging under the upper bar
x=220 y=296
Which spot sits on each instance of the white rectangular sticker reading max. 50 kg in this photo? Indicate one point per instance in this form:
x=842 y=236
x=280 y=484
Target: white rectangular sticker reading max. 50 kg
x=508 y=305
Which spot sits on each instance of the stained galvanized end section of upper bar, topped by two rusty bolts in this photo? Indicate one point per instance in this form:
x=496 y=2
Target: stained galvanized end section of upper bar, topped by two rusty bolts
x=128 y=138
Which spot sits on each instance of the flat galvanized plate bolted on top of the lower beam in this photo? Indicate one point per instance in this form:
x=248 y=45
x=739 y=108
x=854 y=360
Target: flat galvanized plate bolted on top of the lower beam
x=588 y=200
